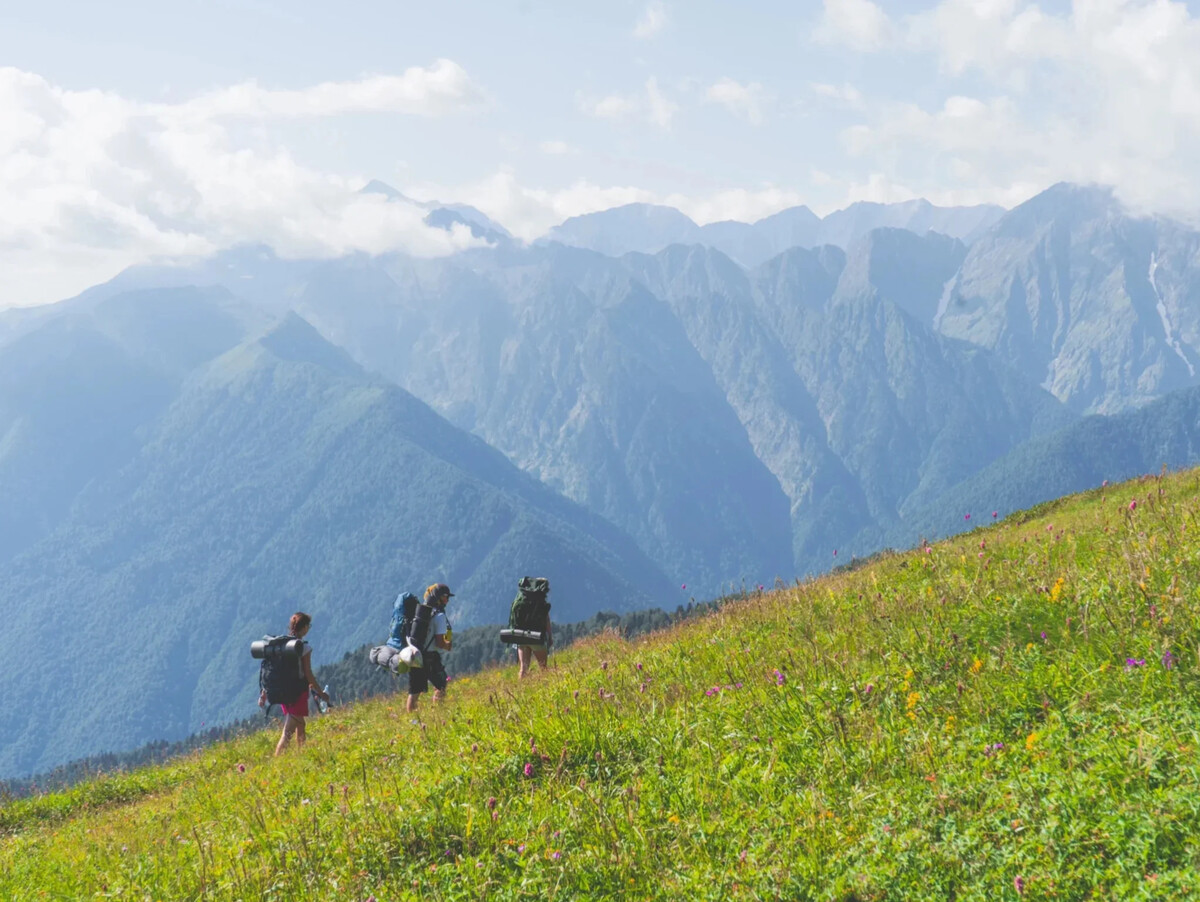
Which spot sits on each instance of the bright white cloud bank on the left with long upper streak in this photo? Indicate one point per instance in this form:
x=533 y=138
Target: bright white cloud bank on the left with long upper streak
x=92 y=183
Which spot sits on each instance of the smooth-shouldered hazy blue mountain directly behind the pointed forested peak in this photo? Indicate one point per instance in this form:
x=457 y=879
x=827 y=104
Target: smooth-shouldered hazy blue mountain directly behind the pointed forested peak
x=583 y=377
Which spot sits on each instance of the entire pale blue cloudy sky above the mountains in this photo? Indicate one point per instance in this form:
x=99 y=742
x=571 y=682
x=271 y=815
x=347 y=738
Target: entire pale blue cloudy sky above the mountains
x=139 y=131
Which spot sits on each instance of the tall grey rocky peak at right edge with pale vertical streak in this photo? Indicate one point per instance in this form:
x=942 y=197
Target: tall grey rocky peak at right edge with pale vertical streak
x=1101 y=306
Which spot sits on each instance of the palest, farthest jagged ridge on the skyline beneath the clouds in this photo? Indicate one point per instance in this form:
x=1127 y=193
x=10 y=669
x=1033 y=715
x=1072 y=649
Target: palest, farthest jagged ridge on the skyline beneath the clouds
x=646 y=228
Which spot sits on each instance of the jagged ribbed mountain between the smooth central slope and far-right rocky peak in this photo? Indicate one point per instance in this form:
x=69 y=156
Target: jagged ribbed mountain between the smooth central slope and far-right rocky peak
x=857 y=407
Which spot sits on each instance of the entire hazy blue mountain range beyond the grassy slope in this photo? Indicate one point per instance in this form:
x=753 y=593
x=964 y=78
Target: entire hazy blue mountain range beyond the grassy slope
x=629 y=407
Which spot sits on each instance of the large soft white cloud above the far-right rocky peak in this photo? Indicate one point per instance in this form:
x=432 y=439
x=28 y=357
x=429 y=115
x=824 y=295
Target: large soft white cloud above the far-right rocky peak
x=1107 y=92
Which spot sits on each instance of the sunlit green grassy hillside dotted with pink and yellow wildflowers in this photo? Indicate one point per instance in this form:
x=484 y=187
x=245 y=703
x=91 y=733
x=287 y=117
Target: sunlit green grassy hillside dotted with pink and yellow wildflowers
x=1009 y=714
